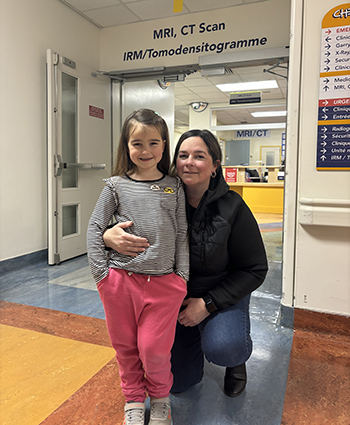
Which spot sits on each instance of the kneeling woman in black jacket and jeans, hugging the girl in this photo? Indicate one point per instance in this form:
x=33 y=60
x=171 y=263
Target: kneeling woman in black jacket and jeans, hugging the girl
x=227 y=263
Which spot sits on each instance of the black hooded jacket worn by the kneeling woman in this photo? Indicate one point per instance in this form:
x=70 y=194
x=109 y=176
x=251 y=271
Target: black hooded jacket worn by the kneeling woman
x=227 y=254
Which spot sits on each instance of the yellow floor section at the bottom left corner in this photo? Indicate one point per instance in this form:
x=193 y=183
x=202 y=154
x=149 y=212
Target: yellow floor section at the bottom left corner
x=38 y=372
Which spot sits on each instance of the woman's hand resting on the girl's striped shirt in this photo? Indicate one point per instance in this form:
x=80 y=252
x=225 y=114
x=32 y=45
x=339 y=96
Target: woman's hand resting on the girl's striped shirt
x=122 y=242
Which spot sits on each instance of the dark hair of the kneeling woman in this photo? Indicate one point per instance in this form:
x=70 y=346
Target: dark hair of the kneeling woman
x=208 y=138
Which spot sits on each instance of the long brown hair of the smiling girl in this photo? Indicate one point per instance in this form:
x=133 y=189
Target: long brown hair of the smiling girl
x=143 y=117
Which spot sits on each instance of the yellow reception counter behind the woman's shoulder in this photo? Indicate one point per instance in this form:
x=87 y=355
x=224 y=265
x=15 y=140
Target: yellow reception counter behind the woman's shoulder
x=261 y=197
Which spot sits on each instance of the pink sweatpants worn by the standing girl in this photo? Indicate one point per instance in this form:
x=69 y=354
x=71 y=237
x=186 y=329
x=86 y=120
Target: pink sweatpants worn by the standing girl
x=141 y=314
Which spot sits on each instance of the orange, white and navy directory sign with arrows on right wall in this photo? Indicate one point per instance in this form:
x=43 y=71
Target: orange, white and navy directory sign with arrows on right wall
x=333 y=135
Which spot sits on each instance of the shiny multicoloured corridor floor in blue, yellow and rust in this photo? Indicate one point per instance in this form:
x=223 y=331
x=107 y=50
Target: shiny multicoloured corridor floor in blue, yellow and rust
x=57 y=365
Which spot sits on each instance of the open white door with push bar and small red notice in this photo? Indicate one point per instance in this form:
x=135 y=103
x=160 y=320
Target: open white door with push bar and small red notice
x=79 y=151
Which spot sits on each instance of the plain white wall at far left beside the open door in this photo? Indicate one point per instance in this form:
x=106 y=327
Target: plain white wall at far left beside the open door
x=27 y=30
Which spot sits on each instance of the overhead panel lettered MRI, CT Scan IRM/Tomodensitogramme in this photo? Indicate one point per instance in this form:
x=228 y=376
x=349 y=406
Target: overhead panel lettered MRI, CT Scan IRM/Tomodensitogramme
x=182 y=39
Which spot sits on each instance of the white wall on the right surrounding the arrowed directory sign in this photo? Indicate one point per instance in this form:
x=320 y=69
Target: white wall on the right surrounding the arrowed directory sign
x=322 y=267
